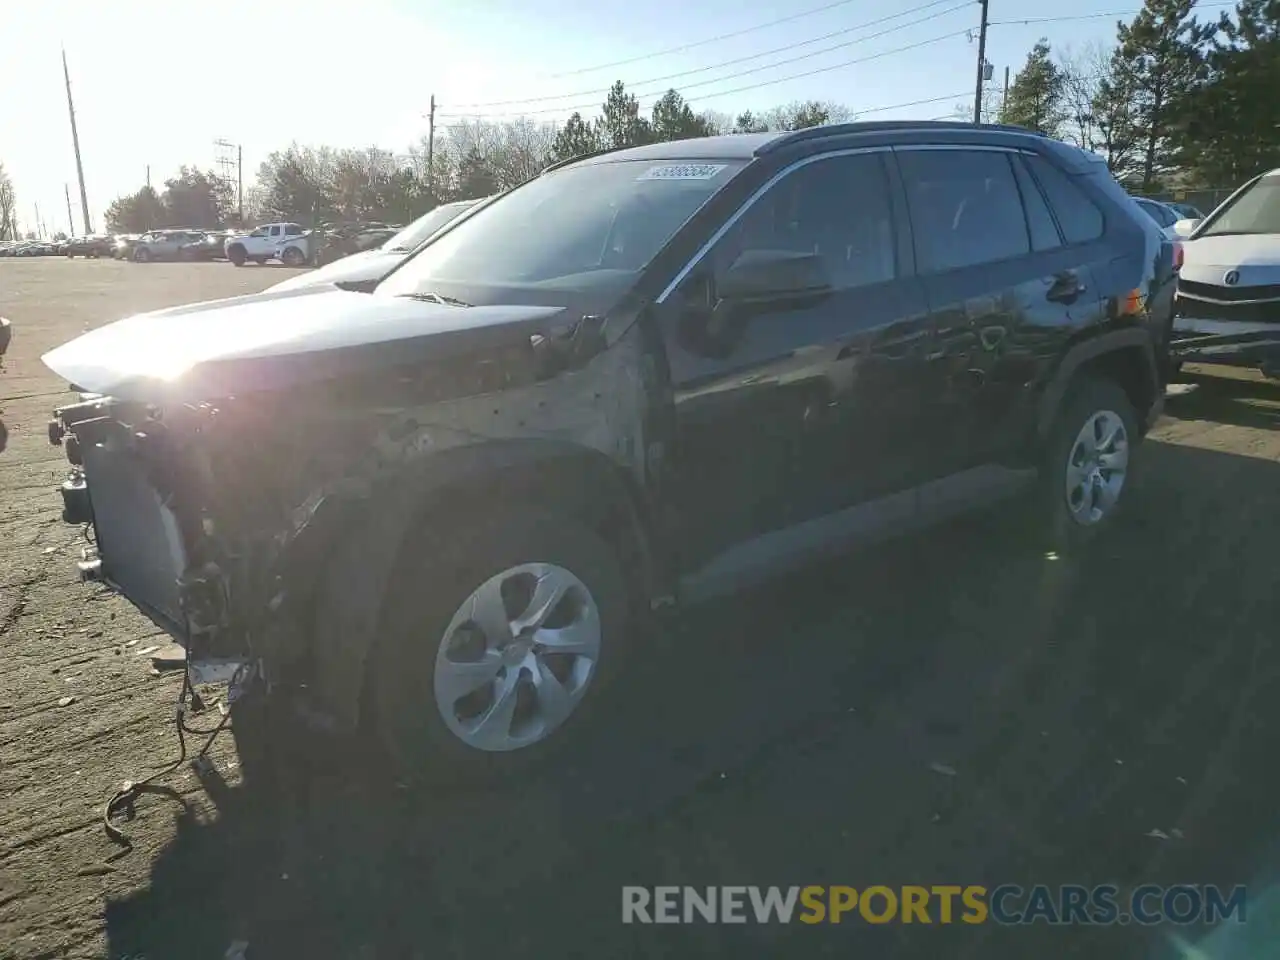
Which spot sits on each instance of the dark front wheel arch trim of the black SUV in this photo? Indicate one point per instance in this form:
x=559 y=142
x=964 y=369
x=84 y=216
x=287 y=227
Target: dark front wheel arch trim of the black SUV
x=368 y=542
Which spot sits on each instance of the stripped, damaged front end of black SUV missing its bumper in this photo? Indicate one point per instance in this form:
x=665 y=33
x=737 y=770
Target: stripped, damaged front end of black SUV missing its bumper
x=222 y=518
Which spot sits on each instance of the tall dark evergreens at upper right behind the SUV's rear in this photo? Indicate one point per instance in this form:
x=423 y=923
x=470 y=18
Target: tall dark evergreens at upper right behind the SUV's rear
x=1176 y=103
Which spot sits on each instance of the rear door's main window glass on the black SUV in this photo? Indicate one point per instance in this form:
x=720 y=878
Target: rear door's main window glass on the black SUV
x=966 y=208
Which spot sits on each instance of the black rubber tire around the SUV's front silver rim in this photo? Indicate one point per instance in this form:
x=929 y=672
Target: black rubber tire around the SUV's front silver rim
x=419 y=743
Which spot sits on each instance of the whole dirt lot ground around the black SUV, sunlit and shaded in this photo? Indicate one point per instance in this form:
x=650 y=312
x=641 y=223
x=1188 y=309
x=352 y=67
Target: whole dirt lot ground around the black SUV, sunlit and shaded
x=952 y=710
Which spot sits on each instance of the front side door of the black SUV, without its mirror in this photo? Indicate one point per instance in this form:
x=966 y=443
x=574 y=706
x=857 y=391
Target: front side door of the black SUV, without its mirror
x=807 y=406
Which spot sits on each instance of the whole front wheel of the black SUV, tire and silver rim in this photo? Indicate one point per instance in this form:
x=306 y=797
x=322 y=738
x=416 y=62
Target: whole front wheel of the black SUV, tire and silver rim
x=496 y=652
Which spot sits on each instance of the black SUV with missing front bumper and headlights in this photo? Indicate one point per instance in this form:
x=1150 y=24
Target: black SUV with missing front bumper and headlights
x=642 y=378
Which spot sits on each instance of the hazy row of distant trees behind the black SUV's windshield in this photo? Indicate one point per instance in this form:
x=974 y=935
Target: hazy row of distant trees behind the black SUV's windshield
x=467 y=161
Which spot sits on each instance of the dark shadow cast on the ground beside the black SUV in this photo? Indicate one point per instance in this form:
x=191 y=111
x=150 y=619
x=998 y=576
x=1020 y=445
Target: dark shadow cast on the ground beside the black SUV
x=959 y=708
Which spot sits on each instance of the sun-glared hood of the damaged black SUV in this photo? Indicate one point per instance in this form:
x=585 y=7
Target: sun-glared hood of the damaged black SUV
x=272 y=341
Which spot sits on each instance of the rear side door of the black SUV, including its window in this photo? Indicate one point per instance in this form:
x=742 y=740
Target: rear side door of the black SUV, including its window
x=1003 y=291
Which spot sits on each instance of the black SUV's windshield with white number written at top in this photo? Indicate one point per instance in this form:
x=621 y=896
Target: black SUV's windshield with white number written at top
x=605 y=217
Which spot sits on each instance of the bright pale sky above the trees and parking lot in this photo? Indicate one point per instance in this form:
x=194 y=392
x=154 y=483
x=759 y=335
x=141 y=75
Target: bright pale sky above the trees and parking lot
x=158 y=81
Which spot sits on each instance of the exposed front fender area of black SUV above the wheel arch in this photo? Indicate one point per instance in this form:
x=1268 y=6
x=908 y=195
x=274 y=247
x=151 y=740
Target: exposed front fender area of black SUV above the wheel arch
x=355 y=477
